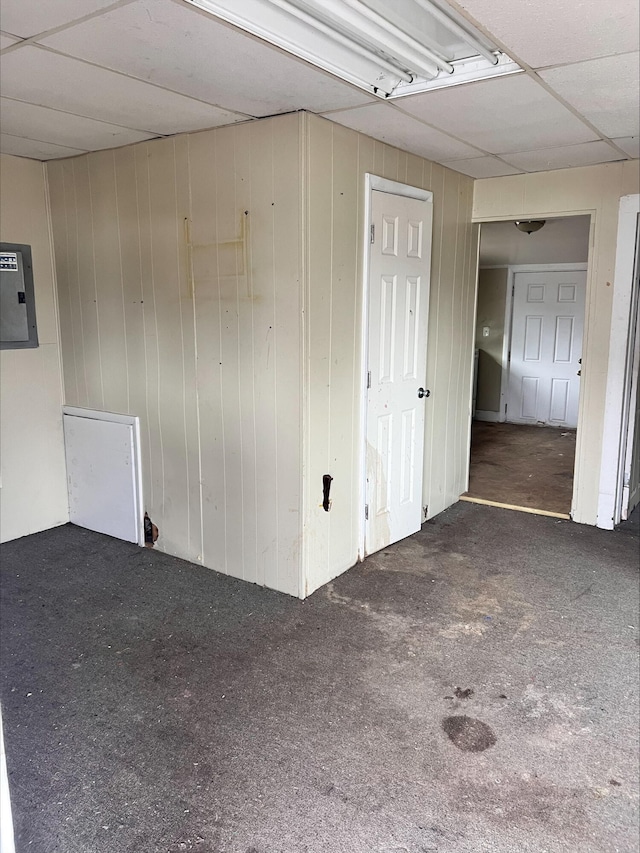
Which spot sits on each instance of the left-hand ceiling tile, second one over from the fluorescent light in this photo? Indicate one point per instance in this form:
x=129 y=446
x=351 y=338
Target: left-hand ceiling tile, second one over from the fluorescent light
x=53 y=80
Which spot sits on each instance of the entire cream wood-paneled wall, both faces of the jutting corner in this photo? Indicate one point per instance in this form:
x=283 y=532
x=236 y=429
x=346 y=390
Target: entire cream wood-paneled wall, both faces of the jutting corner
x=211 y=284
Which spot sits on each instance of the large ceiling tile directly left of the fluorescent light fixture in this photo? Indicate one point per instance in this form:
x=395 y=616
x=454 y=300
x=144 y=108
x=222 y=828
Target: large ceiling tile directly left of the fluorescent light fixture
x=178 y=47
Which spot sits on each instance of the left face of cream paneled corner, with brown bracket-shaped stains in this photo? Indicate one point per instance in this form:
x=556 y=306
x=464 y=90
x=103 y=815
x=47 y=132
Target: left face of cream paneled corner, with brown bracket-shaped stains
x=179 y=274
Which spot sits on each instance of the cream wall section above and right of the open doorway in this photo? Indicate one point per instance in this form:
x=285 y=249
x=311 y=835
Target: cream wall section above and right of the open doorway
x=594 y=190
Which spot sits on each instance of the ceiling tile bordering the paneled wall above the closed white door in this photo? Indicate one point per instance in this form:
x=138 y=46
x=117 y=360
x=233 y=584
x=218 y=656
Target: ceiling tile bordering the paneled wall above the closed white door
x=383 y=122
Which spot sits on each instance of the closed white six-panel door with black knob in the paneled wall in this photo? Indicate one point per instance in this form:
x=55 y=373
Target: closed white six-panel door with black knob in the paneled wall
x=399 y=267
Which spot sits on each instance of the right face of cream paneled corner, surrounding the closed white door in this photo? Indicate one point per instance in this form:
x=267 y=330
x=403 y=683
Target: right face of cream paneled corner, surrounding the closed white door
x=338 y=159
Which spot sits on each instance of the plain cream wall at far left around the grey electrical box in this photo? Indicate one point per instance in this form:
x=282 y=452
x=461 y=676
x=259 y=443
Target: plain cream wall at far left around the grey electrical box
x=33 y=496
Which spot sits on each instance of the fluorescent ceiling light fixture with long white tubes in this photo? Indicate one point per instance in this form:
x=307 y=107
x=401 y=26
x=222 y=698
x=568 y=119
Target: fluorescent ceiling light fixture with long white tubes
x=389 y=49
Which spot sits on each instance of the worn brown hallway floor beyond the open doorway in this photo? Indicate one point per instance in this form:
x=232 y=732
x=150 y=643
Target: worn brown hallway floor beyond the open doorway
x=526 y=466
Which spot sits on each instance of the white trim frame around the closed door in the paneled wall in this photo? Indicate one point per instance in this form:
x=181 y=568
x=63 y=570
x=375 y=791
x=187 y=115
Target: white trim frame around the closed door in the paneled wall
x=373 y=183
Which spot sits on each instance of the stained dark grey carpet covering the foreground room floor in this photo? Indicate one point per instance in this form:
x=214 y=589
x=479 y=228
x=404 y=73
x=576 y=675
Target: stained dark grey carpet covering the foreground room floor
x=472 y=688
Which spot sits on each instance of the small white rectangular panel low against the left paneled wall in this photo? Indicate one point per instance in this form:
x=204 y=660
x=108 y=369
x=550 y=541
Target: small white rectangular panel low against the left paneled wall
x=102 y=474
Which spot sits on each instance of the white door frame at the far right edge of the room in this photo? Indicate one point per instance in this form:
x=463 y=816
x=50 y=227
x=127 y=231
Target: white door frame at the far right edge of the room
x=620 y=367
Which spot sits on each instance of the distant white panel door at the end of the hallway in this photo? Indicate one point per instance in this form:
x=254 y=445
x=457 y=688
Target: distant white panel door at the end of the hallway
x=546 y=347
